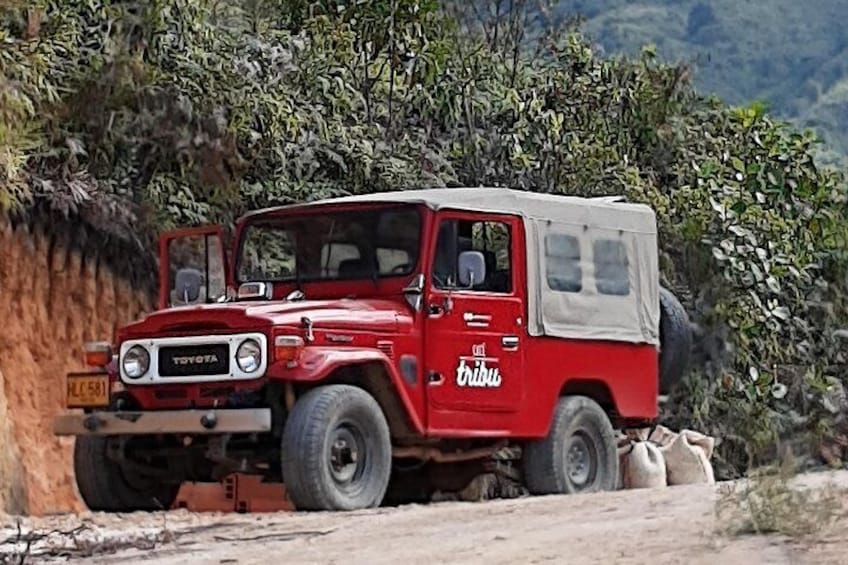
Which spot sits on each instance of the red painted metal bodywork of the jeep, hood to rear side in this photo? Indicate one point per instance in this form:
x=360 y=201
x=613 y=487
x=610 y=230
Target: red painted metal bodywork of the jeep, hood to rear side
x=512 y=393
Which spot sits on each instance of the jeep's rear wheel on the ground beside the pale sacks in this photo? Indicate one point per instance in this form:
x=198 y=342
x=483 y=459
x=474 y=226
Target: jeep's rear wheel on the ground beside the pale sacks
x=580 y=425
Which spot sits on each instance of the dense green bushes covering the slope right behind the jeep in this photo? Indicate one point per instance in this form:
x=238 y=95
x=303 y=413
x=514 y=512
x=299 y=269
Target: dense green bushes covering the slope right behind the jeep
x=134 y=117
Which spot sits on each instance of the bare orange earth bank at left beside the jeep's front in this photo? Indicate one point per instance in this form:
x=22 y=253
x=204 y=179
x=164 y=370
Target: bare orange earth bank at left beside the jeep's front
x=52 y=302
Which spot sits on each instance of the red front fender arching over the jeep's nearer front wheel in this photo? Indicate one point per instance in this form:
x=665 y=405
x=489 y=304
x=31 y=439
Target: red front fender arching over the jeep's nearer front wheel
x=366 y=368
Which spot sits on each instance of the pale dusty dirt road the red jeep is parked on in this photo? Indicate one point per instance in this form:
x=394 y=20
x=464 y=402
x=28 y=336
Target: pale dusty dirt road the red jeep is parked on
x=671 y=525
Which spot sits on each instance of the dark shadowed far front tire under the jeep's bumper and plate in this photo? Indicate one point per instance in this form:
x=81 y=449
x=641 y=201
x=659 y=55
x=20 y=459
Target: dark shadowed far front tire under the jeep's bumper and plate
x=105 y=486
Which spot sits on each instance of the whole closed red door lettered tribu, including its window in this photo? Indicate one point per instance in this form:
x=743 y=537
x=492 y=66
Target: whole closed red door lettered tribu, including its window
x=473 y=333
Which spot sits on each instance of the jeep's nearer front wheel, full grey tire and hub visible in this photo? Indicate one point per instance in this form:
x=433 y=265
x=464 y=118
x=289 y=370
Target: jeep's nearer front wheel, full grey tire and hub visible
x=324 y=430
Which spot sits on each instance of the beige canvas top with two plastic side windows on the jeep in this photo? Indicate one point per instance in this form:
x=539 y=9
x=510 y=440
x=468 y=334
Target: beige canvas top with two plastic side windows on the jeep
x=592 y=263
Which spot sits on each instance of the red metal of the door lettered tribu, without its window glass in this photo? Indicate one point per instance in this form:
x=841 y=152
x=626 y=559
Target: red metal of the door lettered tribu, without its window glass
x=478 y=384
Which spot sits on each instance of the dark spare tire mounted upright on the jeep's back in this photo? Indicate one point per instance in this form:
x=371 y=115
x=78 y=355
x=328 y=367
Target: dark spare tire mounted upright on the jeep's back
x=675 y=341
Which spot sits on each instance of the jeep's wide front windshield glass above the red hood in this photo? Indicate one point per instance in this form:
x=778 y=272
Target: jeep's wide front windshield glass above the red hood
x=345 y=245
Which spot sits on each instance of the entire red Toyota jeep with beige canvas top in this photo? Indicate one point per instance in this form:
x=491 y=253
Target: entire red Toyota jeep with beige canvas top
x=374 y=348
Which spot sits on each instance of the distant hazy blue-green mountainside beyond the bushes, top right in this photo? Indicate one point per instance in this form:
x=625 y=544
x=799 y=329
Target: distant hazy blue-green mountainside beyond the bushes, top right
x=791 y=55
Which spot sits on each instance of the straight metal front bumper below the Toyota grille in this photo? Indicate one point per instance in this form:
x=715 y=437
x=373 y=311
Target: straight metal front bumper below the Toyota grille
x=212 y=421
